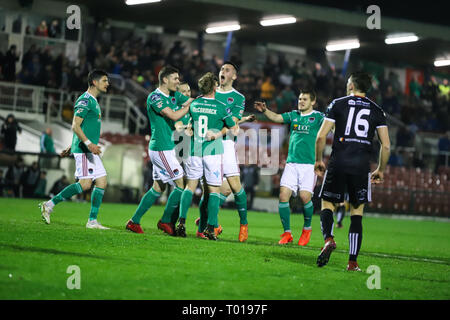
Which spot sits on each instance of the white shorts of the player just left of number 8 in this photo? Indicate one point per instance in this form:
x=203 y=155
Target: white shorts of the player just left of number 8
x=165 y=166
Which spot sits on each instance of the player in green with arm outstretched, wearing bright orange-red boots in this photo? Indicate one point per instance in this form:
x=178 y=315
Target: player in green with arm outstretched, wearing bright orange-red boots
x=299 y=173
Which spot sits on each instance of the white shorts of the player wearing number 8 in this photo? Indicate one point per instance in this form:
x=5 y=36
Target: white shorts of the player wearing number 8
x=208 y=166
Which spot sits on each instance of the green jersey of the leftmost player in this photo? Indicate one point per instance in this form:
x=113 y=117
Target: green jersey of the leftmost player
x=87 y=107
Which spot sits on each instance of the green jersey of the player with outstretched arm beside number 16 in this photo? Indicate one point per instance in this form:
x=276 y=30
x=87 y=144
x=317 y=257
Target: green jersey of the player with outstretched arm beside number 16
x=304 y=129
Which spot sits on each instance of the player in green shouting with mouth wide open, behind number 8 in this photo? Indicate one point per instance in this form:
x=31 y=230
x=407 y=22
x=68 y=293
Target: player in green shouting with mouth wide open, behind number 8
x=235 y=102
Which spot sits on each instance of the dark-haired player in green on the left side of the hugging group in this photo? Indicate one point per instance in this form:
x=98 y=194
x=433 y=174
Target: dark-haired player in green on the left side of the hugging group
x=163 y=111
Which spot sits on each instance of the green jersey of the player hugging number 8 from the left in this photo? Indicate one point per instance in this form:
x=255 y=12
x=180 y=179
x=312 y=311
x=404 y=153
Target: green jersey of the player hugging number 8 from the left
x=162 y=127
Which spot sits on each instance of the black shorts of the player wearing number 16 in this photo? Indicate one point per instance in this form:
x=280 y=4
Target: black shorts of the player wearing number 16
x=337 y=183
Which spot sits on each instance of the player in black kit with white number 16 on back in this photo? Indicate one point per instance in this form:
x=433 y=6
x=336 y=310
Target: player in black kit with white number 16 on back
x=355 y=119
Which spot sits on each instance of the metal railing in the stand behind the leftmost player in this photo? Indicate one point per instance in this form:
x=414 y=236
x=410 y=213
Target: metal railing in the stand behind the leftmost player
x=52 y=103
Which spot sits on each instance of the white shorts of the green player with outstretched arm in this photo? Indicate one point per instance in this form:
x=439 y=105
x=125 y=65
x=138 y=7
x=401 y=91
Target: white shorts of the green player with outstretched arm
x=299 y=177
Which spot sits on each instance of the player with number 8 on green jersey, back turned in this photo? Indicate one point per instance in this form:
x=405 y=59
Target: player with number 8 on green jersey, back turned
x=209 y=116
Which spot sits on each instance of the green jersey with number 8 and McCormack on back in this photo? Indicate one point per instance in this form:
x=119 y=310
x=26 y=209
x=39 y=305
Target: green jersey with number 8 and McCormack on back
x=208 y=114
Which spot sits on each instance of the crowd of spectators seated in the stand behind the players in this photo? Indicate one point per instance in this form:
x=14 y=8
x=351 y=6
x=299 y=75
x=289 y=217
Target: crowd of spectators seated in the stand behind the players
x=277 y=81
